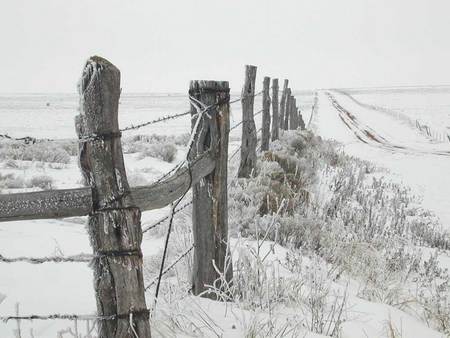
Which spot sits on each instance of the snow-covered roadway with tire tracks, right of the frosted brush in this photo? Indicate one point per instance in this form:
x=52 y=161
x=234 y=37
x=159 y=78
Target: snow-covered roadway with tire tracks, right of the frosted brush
x=389 y=142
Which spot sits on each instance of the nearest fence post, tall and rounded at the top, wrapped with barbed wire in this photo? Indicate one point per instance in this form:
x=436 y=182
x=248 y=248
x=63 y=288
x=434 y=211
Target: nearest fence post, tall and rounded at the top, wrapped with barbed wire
x=115 y=224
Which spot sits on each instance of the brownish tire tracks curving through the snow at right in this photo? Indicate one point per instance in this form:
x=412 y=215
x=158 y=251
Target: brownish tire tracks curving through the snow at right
x=369 y=136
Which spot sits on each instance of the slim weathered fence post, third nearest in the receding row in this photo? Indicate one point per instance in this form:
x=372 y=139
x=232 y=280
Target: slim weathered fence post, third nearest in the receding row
x=249 y=138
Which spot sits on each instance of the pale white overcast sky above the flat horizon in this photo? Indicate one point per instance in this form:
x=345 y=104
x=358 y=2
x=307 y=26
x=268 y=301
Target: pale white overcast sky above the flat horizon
x=161 y=45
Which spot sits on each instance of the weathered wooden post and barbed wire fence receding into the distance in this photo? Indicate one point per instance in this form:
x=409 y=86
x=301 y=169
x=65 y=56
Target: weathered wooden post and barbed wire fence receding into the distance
x=114 y=209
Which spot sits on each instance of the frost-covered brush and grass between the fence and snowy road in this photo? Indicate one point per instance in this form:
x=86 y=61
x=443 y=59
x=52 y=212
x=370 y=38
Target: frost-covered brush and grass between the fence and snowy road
x=342 y=210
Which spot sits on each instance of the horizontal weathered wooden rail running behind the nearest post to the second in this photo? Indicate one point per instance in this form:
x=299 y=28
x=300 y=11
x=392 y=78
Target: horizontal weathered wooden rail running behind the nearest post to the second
x=78 y=202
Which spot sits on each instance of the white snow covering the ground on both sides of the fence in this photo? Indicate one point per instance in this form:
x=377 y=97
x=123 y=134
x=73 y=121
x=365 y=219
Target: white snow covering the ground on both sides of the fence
x=407 y=155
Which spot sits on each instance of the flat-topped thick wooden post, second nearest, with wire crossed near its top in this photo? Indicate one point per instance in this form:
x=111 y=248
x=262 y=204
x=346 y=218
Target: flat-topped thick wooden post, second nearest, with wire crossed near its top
x=210 y=197
